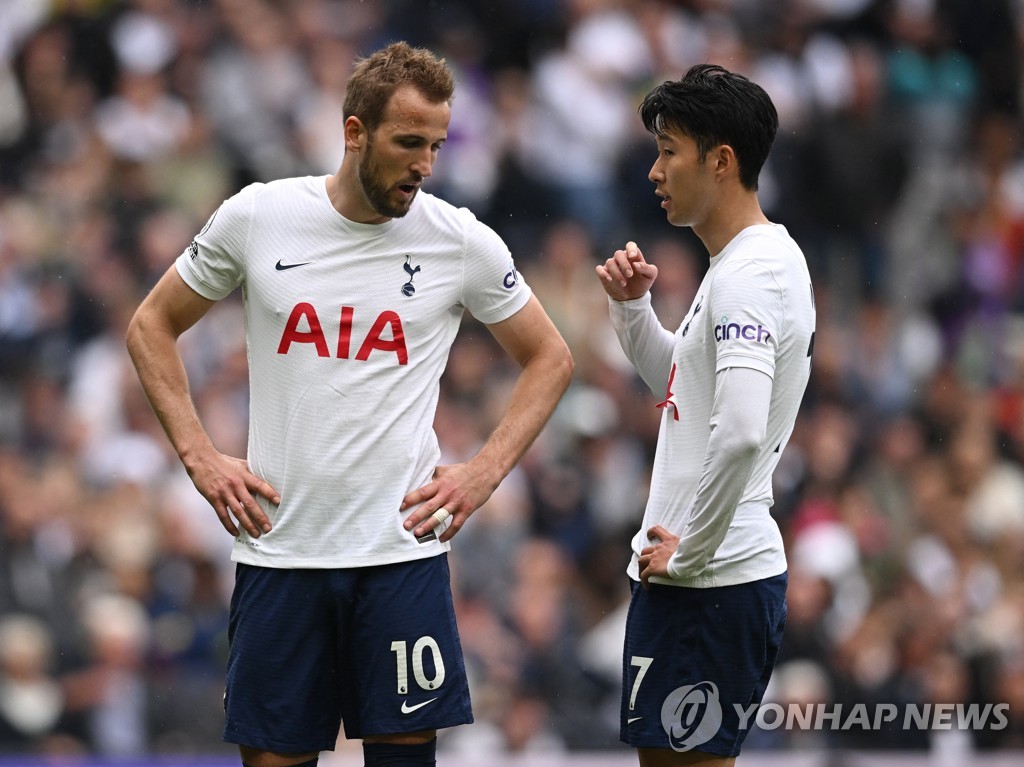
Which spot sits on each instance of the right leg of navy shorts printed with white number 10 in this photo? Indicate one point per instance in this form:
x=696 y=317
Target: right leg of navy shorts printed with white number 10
x=406 y=657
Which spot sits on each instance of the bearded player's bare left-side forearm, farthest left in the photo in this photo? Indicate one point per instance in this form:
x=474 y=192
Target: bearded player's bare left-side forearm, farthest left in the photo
x=154 y=352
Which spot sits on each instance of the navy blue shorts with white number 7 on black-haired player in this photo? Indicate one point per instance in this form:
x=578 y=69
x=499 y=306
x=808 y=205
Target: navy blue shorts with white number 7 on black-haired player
x=693 y=657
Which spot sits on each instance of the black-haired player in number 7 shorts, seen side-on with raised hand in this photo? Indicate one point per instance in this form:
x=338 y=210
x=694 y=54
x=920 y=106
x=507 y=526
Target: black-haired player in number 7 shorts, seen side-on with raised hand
x=709 y=568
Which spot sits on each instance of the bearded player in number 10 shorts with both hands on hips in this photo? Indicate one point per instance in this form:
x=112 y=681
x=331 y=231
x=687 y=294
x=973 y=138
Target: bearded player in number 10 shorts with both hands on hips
x=355 y=286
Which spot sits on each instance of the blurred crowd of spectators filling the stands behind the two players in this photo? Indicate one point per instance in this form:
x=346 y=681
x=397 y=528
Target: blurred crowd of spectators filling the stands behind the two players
x=899 y=167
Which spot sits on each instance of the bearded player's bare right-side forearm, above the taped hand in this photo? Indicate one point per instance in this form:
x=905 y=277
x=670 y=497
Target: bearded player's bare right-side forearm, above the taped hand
x=542 y=382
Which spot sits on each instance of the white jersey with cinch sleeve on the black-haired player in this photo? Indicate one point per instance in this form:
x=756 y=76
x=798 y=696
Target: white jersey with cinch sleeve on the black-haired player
x=755 y=309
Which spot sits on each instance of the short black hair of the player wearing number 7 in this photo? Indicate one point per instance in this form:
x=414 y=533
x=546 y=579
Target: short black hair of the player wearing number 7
x=714 y=107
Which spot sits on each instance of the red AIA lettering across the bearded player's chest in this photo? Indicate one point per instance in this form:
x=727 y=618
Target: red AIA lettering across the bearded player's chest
x=305 y=328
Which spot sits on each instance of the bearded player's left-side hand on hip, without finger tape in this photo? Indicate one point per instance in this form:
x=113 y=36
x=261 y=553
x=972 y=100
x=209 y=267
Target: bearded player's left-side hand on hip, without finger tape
x=230 y=487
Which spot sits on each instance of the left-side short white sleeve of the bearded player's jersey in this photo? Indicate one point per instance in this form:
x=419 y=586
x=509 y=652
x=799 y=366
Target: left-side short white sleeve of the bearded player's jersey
x=214 y=265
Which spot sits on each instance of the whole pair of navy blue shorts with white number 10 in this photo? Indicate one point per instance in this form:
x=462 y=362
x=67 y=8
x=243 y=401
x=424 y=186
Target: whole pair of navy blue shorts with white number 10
x=374 y=648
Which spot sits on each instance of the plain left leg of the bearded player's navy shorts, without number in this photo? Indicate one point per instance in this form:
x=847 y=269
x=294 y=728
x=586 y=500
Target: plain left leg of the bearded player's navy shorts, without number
x=282 y=691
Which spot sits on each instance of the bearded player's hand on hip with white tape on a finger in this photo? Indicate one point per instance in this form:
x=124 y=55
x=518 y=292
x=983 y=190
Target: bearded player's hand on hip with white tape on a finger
x=453 y=496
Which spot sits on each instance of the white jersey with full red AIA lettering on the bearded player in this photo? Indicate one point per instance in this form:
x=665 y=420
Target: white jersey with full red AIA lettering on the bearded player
x=349 y=330
